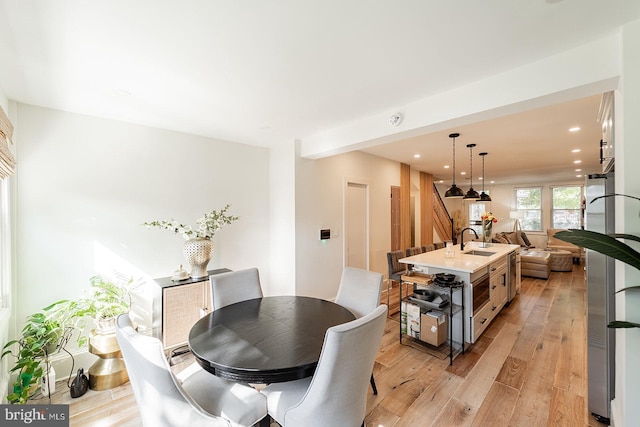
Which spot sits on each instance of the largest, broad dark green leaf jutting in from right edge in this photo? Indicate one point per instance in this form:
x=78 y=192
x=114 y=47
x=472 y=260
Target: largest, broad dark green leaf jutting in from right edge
x=602 y=243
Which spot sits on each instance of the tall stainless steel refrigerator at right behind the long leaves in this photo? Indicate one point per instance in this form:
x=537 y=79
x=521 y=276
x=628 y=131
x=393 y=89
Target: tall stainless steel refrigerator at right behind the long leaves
x=600 y=271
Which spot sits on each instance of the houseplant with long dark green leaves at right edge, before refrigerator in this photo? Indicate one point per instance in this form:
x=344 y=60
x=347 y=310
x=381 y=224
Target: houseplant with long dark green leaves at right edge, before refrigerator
x=609 y=245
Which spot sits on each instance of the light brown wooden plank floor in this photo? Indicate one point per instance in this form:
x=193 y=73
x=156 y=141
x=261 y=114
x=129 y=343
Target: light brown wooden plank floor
x=527 y=369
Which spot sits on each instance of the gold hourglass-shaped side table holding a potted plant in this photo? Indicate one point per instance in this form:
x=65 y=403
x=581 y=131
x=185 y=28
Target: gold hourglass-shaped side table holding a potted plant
x=109 y=370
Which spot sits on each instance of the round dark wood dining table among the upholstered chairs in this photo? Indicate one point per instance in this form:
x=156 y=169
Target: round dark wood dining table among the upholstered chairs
x=265 y=340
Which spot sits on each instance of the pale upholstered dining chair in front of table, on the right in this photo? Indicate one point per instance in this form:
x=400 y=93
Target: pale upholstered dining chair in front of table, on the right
x=336 y=395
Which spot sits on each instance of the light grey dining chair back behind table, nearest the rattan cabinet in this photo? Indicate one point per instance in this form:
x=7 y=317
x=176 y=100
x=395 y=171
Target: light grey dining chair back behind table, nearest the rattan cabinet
x=234 y=286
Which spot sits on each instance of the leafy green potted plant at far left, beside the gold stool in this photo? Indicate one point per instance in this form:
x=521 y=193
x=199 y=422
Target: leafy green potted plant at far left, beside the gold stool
x=40 y=337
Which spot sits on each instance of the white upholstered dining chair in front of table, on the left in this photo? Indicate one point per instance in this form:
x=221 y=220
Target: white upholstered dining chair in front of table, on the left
x=194 y=398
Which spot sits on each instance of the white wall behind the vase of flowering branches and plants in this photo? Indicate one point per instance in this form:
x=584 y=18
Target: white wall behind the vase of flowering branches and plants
x=86 y=185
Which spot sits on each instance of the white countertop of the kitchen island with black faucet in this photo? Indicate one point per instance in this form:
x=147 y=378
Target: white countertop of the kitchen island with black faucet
x=461 y=261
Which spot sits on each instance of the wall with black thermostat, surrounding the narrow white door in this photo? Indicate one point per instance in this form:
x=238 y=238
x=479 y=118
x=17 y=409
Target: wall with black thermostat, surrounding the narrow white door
x=320 y=186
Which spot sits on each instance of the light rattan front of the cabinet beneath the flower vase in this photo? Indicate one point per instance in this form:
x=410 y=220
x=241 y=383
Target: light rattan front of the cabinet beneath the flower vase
x=182 y=307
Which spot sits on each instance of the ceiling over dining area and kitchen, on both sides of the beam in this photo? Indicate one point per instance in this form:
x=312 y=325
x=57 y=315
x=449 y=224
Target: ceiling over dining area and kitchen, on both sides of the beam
x=265 y=72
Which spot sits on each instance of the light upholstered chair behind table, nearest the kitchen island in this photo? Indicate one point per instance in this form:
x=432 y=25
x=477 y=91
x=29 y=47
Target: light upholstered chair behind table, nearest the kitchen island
x=359 y=292
